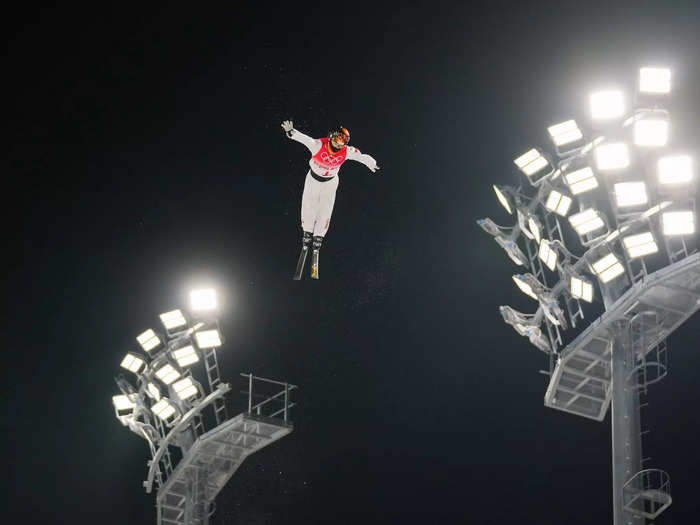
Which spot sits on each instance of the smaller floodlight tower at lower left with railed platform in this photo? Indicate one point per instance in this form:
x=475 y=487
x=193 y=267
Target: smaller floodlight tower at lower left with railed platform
x=179 y=409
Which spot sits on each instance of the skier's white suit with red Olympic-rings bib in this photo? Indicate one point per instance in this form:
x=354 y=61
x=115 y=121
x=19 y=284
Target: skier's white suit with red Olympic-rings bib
x=322 y=180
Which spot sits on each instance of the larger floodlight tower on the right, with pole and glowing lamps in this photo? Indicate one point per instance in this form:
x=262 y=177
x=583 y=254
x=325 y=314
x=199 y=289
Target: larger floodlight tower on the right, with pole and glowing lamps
x=635 y=223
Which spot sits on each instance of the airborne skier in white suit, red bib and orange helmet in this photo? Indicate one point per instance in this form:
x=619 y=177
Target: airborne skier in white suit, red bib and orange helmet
x=327 y=155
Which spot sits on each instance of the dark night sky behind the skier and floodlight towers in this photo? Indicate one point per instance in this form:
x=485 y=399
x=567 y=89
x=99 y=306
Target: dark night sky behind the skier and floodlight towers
x=145 y=153
